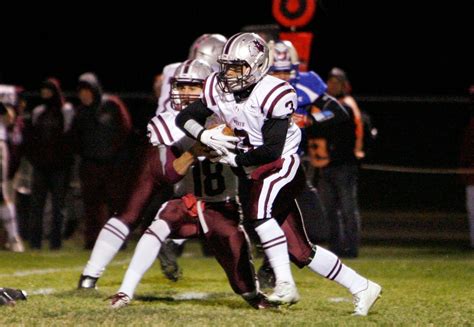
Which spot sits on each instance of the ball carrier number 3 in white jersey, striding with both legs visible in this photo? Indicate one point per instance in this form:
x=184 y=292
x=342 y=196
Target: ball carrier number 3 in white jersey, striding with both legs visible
x=258 y=107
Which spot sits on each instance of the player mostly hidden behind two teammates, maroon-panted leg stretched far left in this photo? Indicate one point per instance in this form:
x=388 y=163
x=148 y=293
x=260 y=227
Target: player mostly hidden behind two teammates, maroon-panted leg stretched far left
x=149 y=179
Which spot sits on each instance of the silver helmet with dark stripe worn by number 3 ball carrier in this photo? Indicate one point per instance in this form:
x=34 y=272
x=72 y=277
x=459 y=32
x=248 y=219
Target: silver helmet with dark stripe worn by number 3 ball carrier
x=246 y=54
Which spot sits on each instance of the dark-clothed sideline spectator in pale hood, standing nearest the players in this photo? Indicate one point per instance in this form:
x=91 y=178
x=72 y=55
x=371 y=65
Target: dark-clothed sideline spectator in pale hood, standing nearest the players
x=101 y=132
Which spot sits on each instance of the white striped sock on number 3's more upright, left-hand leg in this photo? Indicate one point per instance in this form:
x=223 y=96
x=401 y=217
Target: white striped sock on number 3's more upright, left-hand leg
x=276 y=249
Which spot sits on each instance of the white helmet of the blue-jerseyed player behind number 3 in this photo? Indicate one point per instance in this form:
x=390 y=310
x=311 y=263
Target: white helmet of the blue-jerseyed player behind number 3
x=283 y=57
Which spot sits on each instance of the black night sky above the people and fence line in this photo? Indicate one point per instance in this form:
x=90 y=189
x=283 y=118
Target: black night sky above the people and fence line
x=386 y=48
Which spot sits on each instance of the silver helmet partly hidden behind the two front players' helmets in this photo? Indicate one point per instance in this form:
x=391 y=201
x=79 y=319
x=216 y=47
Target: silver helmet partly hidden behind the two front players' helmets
x=208 y=47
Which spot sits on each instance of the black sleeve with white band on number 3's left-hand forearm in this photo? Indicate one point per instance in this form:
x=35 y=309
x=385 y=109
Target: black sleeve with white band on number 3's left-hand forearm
x=192 y=119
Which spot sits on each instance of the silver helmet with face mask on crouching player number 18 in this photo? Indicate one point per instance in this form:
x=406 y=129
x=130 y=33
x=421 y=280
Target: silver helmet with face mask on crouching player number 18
x=189 y=73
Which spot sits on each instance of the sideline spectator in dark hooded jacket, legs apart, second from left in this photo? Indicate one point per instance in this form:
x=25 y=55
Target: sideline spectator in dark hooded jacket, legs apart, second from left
x=48 y=148
